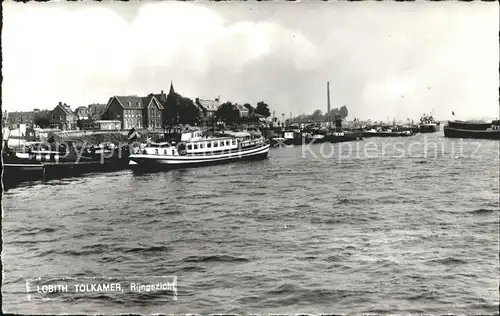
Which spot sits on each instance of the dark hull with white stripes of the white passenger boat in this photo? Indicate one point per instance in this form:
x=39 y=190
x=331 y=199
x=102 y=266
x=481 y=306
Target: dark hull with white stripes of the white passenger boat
x=143 y=161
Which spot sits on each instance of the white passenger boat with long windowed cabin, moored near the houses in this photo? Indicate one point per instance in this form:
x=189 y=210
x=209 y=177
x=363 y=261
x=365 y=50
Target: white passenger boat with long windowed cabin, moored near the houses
x=194 y=149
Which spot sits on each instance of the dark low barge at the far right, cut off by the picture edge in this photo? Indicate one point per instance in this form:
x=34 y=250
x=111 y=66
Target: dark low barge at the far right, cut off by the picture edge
x=480 y=130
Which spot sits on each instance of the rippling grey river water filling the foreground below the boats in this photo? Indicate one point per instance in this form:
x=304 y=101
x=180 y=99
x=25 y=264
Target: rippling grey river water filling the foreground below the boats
x=402 y=225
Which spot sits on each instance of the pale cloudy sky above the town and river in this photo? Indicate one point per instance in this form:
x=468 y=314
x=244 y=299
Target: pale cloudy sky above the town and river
x=383 y=60
